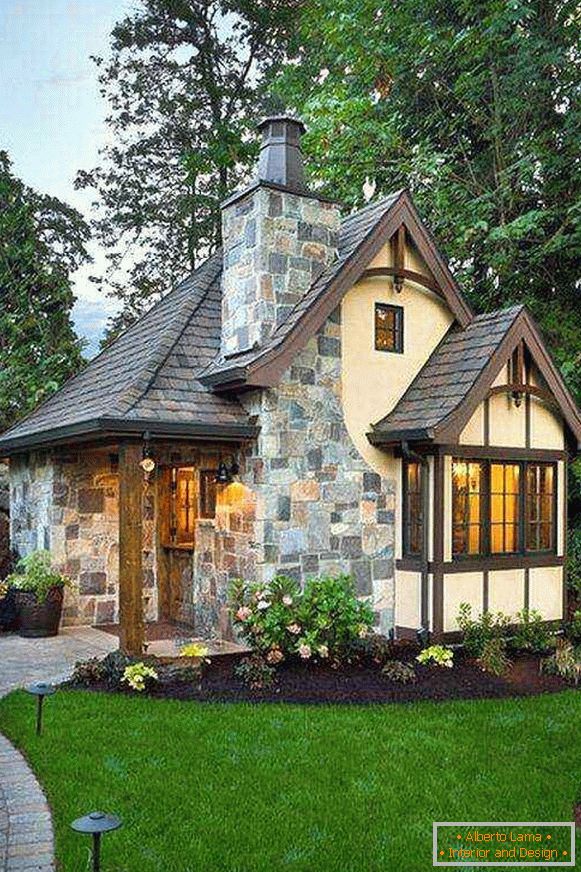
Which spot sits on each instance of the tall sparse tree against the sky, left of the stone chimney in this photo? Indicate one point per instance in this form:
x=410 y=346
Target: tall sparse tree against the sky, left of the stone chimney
x=184 y=87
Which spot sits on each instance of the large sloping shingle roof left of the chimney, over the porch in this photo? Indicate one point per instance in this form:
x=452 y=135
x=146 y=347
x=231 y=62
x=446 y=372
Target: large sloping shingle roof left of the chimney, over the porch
x=147 y=378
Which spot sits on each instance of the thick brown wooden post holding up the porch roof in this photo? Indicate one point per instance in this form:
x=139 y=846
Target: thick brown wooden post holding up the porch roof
x=131 y=548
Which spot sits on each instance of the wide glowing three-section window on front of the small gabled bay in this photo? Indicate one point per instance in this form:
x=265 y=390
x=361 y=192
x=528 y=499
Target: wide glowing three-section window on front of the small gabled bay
x=502 y=508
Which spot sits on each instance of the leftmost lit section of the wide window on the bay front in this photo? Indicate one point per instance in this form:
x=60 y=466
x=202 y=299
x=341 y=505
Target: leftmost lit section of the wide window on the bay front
x=467 y=492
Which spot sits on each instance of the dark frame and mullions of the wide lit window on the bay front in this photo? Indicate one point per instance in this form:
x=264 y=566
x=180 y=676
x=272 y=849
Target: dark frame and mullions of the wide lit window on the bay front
x=522 y=549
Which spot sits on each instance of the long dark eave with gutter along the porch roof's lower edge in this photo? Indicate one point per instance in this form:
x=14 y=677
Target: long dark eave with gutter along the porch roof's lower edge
x=107 y=428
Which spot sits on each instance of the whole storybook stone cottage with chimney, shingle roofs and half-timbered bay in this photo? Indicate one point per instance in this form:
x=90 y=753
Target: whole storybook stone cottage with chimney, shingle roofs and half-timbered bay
x=317 y=397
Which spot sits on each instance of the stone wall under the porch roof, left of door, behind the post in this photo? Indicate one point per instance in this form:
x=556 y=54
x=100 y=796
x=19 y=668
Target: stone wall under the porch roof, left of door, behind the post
x=67 y=502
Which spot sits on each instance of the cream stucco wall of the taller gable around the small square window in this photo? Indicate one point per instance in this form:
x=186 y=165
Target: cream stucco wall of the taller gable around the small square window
x=373 y=381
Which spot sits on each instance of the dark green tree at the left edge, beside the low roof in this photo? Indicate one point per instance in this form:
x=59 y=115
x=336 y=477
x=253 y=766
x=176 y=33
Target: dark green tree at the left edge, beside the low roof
x=42 y=241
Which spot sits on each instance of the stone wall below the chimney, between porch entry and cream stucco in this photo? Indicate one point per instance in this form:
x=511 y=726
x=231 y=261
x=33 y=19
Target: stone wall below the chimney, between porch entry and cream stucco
x=319 y=507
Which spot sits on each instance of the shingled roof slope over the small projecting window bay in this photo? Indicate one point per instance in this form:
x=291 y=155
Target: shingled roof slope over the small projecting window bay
x=447 y=378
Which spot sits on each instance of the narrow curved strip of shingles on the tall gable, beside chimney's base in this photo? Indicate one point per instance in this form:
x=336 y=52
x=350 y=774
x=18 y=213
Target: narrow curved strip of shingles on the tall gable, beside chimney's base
x=354 y=230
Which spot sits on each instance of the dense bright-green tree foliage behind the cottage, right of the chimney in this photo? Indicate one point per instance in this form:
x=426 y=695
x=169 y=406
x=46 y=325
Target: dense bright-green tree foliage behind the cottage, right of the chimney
x=473 y=105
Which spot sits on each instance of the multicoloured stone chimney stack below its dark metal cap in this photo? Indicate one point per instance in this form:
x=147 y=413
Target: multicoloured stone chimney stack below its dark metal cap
x=275 y=244
